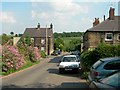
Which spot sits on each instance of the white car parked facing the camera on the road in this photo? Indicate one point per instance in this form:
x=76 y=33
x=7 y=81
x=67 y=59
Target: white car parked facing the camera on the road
x=68 y=63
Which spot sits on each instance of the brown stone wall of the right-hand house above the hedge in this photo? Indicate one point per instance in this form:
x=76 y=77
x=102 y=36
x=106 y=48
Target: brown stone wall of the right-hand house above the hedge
x=92 y=39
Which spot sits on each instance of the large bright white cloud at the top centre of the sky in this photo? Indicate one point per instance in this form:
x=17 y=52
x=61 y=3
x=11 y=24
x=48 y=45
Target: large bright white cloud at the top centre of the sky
x=68 y=6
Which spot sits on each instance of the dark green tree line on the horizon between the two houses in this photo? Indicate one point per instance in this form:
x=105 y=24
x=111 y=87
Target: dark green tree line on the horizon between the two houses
x=68 y=34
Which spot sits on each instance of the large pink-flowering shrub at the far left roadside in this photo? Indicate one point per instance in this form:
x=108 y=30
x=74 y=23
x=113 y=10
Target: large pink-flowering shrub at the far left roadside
x=11 y=59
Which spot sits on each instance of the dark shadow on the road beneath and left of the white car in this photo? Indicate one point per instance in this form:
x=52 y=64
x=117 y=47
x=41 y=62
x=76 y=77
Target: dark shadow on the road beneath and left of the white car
x=66 y=73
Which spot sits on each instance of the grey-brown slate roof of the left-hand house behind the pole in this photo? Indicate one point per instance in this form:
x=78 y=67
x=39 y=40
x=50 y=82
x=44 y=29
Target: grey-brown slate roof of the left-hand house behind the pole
x=35 y=32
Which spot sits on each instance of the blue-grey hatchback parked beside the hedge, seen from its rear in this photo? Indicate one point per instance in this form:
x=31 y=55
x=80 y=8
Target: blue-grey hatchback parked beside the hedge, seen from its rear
x=104 y=67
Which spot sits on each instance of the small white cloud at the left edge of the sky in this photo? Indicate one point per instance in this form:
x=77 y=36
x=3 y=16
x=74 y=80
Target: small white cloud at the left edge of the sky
x=7 y=17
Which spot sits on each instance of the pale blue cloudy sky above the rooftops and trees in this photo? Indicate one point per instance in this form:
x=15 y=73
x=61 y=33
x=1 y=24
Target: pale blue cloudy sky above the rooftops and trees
x=66 y=16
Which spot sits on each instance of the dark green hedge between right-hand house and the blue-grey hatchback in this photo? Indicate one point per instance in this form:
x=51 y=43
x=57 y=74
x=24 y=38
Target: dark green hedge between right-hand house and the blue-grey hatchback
x=102 y=51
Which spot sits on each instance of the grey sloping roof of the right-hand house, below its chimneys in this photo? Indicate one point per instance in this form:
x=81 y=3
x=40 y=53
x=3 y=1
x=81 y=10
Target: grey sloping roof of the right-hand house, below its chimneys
x=108 y=25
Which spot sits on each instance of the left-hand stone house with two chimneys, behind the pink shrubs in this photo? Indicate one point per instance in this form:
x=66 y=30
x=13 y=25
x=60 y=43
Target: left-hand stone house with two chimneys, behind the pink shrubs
x=41 y=37
